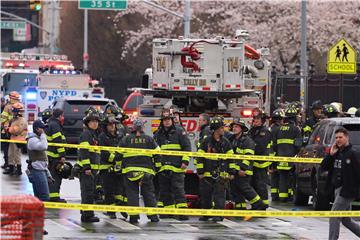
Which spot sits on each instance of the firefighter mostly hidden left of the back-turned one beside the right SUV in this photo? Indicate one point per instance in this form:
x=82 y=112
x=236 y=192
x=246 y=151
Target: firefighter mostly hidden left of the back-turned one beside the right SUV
x=277 y=119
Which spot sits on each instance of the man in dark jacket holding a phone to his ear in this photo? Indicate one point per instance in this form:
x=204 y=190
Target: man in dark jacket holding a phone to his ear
x=343 y=164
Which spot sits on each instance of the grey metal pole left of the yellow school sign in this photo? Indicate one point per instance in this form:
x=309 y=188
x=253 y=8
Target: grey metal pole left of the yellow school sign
x=303 y=59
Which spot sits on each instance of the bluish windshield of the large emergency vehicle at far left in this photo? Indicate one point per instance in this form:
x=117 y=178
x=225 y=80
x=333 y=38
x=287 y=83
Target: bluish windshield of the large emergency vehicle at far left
x=16 y=81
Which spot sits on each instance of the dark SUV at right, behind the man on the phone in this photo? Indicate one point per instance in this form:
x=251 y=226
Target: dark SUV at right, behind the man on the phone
x=310 y=179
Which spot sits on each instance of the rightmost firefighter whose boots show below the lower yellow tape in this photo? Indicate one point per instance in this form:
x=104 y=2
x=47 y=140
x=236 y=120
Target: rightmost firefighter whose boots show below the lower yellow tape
x=214 y=174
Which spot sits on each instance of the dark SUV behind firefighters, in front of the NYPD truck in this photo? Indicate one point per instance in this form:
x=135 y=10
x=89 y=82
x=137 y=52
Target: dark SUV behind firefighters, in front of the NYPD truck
x=74 y=109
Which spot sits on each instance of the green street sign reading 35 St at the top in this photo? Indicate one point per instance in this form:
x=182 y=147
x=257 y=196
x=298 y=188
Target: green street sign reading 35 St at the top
x=103 y=4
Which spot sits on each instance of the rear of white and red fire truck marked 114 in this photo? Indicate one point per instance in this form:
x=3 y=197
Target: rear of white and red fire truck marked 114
x=218 y=76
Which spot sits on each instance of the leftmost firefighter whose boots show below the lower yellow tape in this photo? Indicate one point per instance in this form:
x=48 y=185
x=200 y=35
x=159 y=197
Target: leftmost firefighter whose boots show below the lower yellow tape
x=89 y=160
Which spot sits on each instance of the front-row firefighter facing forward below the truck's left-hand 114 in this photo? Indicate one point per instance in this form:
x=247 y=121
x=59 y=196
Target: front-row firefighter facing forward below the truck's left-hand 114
x=172 y=172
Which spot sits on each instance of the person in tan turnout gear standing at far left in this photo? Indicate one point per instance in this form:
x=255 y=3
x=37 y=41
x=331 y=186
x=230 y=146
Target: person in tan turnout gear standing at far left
x=18 y=131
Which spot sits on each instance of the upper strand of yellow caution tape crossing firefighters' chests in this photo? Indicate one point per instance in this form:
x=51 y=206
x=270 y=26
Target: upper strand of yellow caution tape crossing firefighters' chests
x=211 y=156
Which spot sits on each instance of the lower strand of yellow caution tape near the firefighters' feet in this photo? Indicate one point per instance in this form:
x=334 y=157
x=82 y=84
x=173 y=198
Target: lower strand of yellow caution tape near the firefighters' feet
x=199 y=212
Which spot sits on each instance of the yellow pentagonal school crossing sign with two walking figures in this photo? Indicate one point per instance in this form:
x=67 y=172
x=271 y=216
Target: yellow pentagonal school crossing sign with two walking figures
x=341 y=58
